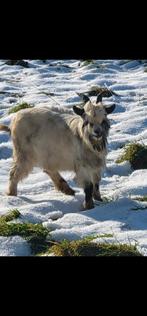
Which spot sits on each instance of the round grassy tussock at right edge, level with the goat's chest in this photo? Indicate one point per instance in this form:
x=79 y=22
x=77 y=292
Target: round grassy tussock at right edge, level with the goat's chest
x=136 y=154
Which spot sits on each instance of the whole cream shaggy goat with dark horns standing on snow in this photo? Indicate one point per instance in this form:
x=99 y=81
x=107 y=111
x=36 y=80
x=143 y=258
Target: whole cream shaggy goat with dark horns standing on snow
x=57 y=142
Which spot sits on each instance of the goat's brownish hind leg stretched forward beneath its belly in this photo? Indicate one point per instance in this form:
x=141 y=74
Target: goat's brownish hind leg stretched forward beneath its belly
x=60 y=183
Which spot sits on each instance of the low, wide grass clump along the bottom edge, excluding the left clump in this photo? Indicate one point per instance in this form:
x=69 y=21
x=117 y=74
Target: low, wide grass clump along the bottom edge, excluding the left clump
x=85 y=247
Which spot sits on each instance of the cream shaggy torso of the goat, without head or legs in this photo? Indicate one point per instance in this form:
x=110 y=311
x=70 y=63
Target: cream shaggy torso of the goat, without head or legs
x=52 y=141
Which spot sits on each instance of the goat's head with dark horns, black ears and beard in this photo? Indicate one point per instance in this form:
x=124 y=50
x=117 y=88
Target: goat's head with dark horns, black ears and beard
x=94 y=115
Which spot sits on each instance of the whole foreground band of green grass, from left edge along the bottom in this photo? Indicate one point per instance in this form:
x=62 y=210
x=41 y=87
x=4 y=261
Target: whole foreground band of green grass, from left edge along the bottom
x=36 y=235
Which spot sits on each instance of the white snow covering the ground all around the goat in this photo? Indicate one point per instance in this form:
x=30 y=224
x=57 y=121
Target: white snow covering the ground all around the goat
x=120 y=215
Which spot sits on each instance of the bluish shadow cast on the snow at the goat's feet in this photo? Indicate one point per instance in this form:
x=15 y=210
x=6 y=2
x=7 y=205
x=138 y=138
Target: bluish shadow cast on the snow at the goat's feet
x=111 y=211
